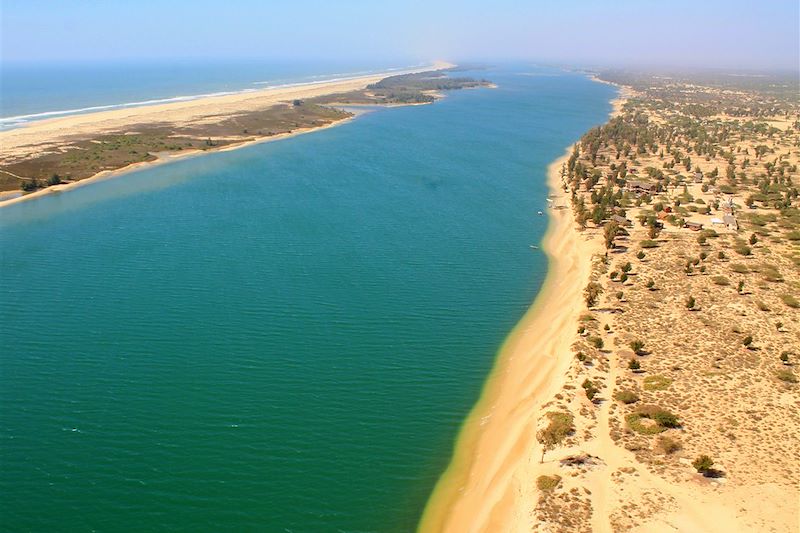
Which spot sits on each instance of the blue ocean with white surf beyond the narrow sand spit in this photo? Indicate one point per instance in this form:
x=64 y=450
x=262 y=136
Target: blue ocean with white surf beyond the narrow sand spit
x=34 y=91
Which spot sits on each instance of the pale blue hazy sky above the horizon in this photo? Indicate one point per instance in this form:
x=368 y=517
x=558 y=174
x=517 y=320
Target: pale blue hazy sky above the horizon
x=724 y=33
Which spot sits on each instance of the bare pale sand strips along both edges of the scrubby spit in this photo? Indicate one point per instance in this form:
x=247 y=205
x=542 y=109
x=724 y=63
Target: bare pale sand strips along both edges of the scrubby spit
x=52 y=134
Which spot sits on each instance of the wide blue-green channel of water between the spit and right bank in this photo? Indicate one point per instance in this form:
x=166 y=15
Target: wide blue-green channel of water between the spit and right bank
x=284 y=337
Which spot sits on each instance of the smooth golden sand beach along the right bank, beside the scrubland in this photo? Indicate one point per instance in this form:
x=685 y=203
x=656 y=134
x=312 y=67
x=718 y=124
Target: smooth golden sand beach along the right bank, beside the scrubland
x=487 y=482
